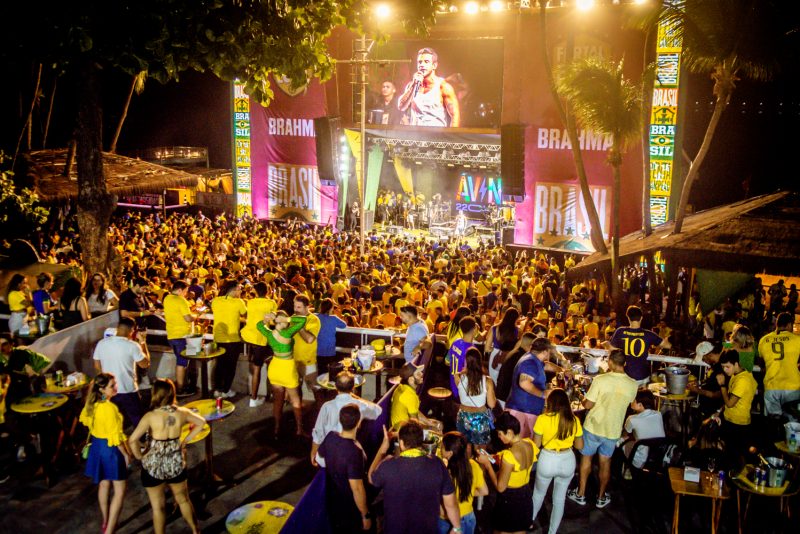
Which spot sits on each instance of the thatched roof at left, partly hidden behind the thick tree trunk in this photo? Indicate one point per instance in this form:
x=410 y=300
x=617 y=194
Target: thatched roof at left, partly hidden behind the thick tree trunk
x=124 y=176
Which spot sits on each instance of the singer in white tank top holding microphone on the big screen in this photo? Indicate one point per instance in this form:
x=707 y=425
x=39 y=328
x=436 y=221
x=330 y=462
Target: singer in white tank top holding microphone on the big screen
x=429 y=99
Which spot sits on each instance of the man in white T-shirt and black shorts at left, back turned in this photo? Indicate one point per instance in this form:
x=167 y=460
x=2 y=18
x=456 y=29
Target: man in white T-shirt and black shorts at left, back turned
x=120 y=355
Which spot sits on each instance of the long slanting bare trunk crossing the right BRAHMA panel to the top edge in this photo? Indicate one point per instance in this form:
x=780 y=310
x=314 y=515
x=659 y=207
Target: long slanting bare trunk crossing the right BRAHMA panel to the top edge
x=597 y=230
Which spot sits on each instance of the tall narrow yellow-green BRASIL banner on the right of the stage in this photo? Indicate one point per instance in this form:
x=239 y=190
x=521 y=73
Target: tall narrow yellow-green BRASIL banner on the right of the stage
x=663 y=121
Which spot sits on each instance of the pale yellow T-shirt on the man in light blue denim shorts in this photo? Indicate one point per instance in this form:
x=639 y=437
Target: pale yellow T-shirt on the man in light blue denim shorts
x=611 y=393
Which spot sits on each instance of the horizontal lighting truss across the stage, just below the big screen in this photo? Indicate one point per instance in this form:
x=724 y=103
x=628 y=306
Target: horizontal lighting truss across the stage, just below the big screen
x=442 y=152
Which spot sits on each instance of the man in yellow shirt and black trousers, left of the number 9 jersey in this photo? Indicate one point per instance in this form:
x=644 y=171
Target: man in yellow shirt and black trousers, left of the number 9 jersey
x=737 y=398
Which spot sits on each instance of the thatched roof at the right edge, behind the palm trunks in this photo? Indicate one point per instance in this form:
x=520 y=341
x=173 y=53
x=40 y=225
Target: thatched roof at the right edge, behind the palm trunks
x=760 y=234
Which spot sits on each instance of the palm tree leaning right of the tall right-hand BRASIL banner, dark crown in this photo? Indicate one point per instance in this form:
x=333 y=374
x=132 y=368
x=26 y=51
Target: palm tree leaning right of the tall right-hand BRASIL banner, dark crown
x=730 y=40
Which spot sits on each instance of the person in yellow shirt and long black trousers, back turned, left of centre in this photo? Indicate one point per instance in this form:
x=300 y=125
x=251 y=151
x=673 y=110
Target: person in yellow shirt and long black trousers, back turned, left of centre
x=228 y=310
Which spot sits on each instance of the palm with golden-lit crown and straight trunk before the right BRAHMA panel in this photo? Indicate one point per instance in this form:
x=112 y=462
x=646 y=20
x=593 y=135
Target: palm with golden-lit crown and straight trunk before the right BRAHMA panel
x=606 y=102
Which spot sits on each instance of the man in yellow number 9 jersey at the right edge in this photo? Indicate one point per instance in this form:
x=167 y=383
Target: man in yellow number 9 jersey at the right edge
x=780 y=351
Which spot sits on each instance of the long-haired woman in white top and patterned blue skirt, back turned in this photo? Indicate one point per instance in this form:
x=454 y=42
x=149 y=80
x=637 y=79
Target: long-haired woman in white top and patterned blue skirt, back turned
x=476 y=394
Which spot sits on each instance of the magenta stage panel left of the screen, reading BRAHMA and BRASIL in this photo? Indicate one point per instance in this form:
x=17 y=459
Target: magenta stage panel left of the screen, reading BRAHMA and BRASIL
x=285 y=181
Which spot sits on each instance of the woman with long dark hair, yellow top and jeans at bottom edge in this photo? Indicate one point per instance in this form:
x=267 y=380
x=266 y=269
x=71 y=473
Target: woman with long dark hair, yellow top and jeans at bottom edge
x=467 y=478
